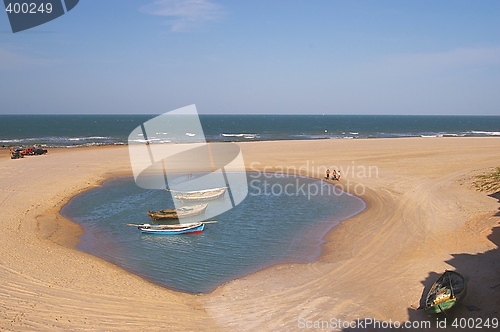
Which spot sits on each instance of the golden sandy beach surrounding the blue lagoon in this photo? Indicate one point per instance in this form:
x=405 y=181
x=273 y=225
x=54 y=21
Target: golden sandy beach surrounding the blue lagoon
x=423 y=216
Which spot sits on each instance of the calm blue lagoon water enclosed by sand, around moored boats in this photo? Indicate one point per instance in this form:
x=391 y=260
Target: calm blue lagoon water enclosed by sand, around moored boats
x=283 y=219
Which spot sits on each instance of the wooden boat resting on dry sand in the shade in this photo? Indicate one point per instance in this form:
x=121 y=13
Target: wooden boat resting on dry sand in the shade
x=446 y=292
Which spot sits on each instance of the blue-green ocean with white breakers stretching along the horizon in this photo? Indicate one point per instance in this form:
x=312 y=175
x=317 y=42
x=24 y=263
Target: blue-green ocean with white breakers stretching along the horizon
x=86 y=130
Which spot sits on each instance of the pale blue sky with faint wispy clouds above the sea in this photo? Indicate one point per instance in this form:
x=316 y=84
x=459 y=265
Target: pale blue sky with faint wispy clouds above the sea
x=324 y=57
